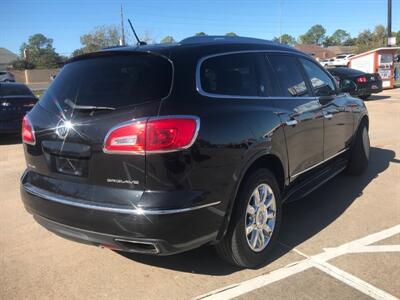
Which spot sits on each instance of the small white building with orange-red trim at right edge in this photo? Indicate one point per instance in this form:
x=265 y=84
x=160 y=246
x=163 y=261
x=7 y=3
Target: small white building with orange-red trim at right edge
x=380 y=60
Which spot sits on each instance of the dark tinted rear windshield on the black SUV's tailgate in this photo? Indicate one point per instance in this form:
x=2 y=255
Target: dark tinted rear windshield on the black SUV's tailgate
x=111 y=81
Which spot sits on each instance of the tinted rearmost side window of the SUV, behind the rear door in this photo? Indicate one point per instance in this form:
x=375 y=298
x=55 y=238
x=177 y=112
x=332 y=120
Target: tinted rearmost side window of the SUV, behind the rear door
x=234 y=75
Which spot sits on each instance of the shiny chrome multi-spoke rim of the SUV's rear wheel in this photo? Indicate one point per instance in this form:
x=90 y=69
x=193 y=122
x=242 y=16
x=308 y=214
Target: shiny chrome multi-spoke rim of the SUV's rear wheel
x=260 y=217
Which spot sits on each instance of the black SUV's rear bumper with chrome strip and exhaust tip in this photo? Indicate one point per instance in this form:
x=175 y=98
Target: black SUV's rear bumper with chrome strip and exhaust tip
x=152 y=231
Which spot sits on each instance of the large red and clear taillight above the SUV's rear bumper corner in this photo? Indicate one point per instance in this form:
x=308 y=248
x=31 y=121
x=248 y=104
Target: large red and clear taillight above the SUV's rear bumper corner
x=154 y=135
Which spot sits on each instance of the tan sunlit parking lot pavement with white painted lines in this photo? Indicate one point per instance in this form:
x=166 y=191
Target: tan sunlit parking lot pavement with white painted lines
x=341 y=242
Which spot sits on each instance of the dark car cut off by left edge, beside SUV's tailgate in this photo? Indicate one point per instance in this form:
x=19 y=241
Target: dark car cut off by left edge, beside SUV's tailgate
x=16 y=99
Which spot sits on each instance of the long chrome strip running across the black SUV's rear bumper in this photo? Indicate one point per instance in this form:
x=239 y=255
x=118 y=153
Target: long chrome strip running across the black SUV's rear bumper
x=66 y=200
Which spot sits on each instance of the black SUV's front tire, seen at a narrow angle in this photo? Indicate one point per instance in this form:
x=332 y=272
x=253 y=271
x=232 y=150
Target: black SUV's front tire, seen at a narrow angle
x=360 y=151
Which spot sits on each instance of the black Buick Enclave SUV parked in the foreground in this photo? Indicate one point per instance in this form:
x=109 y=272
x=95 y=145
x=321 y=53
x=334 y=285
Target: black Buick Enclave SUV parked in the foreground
x=161 y=149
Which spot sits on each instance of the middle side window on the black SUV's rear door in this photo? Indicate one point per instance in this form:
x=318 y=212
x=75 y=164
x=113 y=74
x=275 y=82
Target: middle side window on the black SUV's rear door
x=289 y=75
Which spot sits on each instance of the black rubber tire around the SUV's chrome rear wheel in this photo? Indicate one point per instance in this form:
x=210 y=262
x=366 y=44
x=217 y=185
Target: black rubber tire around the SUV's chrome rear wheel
x=235 y=247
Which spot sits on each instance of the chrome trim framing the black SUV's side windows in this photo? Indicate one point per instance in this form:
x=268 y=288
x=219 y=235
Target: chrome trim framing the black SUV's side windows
x=221 y=96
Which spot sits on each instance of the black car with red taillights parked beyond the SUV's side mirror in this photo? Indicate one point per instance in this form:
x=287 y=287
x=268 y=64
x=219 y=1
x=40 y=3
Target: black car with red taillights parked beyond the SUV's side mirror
x=366 y=84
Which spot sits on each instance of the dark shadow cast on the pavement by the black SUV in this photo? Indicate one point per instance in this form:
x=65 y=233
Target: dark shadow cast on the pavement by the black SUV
x=301 y=220
